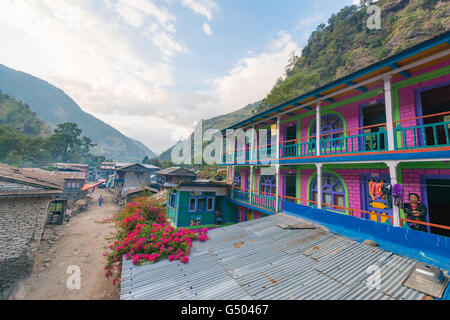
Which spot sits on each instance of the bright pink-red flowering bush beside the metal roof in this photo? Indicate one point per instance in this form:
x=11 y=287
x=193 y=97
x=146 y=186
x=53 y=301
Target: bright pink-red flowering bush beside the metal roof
x=146 y=236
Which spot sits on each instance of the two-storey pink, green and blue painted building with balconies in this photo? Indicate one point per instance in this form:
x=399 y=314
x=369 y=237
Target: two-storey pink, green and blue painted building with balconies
x=334 y=148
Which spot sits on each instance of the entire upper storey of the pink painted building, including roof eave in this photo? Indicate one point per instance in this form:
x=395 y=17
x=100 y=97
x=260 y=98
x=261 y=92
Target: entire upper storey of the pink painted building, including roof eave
x=395 y=109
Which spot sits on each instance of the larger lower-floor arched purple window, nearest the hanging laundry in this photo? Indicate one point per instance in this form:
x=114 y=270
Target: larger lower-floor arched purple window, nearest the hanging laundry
x=333 y=192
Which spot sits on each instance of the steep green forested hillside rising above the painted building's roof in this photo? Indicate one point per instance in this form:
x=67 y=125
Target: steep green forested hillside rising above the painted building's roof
x=346 y=45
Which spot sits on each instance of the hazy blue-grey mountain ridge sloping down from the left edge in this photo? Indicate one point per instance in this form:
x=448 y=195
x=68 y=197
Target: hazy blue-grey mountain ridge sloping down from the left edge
x=54 y=106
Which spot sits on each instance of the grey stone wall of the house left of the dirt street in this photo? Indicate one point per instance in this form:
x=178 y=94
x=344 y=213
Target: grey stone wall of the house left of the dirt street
x=21 y=225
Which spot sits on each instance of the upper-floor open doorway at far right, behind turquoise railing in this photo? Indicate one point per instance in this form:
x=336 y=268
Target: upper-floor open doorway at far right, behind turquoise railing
x=436 y=102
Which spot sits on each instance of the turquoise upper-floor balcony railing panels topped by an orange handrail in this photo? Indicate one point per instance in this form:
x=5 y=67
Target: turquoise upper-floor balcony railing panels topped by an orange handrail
x=408 y=135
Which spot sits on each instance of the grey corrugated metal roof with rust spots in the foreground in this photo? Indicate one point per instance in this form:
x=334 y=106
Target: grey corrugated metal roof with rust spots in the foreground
x=258 y=260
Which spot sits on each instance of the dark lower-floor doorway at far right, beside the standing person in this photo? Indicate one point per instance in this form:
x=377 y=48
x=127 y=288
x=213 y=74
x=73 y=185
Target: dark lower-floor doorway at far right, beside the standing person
x=437 y=191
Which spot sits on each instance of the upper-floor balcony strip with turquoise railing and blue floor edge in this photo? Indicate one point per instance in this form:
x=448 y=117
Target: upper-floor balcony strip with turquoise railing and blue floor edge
x=425 y=135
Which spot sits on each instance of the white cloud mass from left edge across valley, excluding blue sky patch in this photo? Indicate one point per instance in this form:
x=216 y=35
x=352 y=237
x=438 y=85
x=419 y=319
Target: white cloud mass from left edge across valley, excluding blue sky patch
x=115 y=59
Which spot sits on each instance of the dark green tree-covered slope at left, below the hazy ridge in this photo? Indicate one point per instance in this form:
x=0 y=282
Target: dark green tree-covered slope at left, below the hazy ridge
x=25 y=140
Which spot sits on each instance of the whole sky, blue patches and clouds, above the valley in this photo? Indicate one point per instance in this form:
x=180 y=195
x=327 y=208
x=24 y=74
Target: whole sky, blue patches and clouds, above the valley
x=152 y=68
